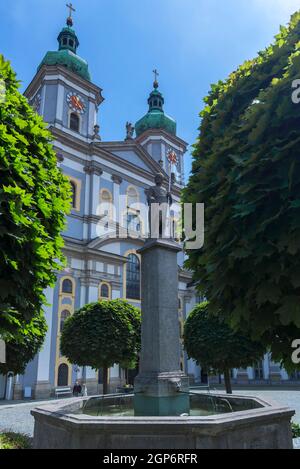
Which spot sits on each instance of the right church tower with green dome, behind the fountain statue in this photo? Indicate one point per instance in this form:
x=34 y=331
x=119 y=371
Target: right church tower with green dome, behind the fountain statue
x=157 y=133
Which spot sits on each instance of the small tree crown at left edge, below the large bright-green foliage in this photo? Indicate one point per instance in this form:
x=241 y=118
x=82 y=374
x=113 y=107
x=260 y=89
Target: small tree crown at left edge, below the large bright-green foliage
x=22 y=350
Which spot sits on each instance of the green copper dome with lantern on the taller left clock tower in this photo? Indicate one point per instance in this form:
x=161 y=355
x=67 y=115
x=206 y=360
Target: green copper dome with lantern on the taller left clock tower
x=66 y=54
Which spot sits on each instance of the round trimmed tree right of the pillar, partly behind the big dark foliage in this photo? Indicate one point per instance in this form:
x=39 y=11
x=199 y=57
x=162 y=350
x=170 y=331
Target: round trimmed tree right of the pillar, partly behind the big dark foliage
x=216 y=347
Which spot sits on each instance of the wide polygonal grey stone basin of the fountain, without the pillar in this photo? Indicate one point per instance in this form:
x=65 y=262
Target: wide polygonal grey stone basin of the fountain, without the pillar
x=253 y=424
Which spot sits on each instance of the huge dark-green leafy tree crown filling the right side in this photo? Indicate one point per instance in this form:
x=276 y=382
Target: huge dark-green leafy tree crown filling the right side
x=246 y=170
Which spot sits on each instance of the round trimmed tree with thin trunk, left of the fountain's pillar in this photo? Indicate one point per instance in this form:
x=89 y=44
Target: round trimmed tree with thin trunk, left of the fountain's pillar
x=103 y=334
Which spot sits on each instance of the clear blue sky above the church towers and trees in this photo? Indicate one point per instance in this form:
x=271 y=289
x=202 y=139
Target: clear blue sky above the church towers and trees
x=193 y=43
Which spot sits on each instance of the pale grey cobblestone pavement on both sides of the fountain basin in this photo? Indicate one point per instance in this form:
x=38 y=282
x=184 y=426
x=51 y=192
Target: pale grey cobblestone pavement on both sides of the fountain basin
x=16 y=416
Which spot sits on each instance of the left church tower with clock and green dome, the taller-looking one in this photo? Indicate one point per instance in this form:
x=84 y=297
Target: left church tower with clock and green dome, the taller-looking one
x=62 y=91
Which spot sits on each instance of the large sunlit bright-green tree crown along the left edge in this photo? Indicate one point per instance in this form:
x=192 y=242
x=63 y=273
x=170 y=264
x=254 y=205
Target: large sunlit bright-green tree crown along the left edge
x=34 y=198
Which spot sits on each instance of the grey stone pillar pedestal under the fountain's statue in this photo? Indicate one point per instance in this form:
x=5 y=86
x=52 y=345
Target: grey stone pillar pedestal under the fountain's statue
x=161 y=389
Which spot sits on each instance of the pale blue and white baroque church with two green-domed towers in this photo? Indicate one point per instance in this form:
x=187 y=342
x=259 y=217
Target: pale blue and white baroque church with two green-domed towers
x=106 y=226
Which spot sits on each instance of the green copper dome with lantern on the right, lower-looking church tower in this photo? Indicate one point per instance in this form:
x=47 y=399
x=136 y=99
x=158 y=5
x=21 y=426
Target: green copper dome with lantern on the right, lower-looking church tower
x=156 y=118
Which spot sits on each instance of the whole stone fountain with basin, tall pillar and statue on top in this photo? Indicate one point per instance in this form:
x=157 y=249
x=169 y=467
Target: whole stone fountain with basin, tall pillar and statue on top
x=162 y=414
